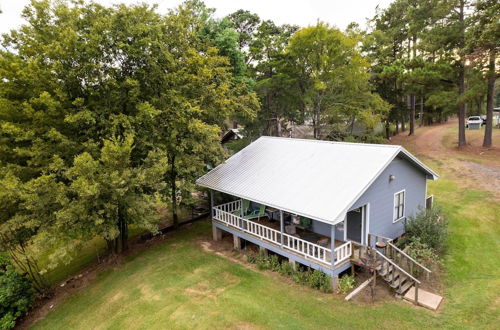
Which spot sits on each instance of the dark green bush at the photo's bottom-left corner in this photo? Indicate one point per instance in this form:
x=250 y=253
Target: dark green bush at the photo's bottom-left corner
x=16 y=294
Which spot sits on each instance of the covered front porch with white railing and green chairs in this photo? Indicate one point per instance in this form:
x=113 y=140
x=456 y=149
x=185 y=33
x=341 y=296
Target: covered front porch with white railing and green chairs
x=318 y=242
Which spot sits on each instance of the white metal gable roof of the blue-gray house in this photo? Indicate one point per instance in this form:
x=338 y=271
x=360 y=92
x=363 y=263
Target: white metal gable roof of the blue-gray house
x=317 y=179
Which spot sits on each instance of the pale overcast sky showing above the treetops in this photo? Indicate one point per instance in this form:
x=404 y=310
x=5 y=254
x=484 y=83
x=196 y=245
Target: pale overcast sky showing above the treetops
x=299 y=12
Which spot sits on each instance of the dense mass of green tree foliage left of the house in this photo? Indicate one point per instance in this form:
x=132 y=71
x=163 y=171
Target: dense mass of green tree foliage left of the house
x=106 y=113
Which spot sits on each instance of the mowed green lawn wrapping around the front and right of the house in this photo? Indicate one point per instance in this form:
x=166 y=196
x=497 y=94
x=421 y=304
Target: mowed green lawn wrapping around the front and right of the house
x=178 y=285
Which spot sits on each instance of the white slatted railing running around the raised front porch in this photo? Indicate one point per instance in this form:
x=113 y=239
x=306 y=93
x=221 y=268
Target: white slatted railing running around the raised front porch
x=225 y=214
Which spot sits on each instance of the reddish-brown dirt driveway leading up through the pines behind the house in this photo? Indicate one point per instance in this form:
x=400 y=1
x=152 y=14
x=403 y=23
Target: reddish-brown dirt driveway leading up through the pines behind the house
x=473 y=166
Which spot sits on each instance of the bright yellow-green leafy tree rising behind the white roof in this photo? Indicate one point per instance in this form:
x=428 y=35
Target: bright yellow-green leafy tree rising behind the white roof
x=333 y=77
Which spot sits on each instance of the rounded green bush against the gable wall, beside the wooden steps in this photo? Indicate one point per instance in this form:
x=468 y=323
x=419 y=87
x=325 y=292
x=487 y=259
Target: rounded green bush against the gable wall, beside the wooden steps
x=428 y=227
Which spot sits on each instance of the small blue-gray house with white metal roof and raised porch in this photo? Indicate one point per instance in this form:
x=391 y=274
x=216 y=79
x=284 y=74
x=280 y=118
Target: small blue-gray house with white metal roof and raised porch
x=316 y=202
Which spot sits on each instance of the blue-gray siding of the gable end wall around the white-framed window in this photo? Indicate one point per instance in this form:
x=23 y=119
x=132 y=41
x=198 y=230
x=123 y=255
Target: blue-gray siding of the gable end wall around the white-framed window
x=380 y=195
